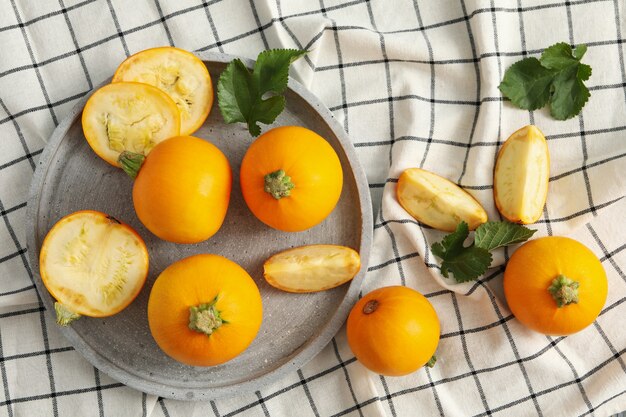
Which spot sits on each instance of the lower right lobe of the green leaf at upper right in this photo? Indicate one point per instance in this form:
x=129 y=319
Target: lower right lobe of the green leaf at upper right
x=570 y=94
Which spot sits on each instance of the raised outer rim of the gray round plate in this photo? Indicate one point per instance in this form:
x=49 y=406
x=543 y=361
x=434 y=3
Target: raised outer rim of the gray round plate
x=300 y=356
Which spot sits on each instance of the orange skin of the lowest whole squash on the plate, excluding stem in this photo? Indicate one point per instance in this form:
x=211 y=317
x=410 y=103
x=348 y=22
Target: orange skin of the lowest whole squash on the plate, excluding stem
x=196 y=280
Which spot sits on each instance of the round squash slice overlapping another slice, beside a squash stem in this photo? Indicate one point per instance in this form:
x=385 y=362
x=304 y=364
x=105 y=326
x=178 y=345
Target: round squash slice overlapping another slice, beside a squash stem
x=128 y=117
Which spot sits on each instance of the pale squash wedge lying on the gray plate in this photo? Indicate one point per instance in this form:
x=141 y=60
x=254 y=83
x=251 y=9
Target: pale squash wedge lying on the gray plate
x=312 y=268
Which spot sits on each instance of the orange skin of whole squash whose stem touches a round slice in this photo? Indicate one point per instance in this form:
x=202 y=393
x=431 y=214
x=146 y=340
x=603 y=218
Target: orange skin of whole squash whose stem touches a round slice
x=182 y=191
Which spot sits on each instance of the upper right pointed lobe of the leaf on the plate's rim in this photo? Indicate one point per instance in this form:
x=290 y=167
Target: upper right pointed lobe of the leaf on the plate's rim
x=272 y=69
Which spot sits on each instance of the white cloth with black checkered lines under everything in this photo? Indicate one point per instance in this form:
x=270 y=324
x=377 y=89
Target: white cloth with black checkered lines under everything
x=414 y=83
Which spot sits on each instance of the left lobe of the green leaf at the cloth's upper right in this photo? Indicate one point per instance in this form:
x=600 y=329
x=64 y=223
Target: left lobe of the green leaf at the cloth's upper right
x=527 y=84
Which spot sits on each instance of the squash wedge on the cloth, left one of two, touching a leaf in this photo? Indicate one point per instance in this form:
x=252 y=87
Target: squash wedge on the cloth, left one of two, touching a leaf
x=437 y=202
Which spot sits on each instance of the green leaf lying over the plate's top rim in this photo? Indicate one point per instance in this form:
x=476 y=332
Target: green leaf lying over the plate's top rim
x=242 y=95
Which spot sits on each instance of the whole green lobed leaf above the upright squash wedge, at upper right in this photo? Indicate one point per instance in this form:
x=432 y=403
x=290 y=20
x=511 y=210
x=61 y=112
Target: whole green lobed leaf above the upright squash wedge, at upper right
x=557 y=78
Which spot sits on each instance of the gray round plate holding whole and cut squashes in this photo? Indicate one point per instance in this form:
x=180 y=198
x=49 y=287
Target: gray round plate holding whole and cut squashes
x=295 y=327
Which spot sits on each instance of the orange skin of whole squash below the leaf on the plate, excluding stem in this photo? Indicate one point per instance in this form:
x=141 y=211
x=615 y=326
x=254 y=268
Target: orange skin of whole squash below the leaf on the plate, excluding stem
x=313 y=167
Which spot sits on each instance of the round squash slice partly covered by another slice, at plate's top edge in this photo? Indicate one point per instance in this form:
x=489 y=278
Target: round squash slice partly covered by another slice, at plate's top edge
x=180 y=74
